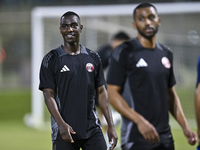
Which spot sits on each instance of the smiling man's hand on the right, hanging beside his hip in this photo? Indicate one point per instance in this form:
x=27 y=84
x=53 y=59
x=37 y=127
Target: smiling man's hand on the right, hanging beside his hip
x=112 y=136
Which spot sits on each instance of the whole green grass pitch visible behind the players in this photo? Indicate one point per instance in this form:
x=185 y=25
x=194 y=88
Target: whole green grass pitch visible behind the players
x=14 y=135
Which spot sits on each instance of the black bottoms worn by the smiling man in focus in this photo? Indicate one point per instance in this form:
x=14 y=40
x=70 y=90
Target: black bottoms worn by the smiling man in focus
x=96 y=142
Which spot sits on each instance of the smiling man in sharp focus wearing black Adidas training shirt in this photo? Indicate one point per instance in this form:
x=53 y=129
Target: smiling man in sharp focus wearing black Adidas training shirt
x=71 y=78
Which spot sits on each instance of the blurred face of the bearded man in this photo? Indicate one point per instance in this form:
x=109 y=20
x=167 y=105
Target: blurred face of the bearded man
x=147 y=22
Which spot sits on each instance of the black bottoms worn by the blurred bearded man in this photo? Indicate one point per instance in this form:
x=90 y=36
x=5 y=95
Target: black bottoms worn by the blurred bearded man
x=166 y=143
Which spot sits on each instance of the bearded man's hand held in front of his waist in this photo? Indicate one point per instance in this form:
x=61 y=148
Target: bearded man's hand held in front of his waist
x=148 y=131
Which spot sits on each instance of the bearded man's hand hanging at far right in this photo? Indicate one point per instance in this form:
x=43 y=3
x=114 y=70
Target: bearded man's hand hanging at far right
x=190 y=135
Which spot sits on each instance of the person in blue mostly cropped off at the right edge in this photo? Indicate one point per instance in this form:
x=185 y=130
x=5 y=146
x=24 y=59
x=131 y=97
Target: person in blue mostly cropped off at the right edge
x=197 y=102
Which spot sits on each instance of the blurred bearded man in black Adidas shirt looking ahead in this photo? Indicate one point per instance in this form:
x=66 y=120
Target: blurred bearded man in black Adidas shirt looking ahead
x=141 y=87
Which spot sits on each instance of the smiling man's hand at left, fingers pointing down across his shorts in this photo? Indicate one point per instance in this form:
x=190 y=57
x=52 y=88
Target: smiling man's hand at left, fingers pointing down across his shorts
x=66 y=131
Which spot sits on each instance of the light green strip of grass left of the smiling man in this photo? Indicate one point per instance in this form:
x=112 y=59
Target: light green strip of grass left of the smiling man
x=16 y=136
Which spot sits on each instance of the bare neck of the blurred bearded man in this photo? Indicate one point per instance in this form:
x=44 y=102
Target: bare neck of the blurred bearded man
x=147 y=43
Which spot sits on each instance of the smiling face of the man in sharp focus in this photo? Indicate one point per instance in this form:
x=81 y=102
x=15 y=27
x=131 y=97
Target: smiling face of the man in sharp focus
x=70 y=28
